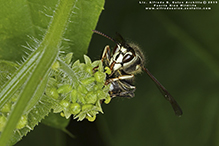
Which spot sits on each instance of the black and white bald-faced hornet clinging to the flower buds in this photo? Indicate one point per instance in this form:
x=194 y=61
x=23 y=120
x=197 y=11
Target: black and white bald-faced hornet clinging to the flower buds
x=125 y=61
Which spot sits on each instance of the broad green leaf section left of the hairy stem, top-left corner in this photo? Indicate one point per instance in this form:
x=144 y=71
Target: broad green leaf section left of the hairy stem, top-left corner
x=20 y=19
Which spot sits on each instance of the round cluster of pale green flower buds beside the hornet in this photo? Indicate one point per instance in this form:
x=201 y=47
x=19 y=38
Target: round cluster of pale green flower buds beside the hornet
x=78 y=89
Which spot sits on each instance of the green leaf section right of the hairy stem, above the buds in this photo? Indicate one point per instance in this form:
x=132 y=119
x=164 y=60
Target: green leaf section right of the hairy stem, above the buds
x=84 y=19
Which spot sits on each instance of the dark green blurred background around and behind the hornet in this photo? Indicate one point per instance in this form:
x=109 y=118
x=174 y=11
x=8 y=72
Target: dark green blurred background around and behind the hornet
x=182 y=52
